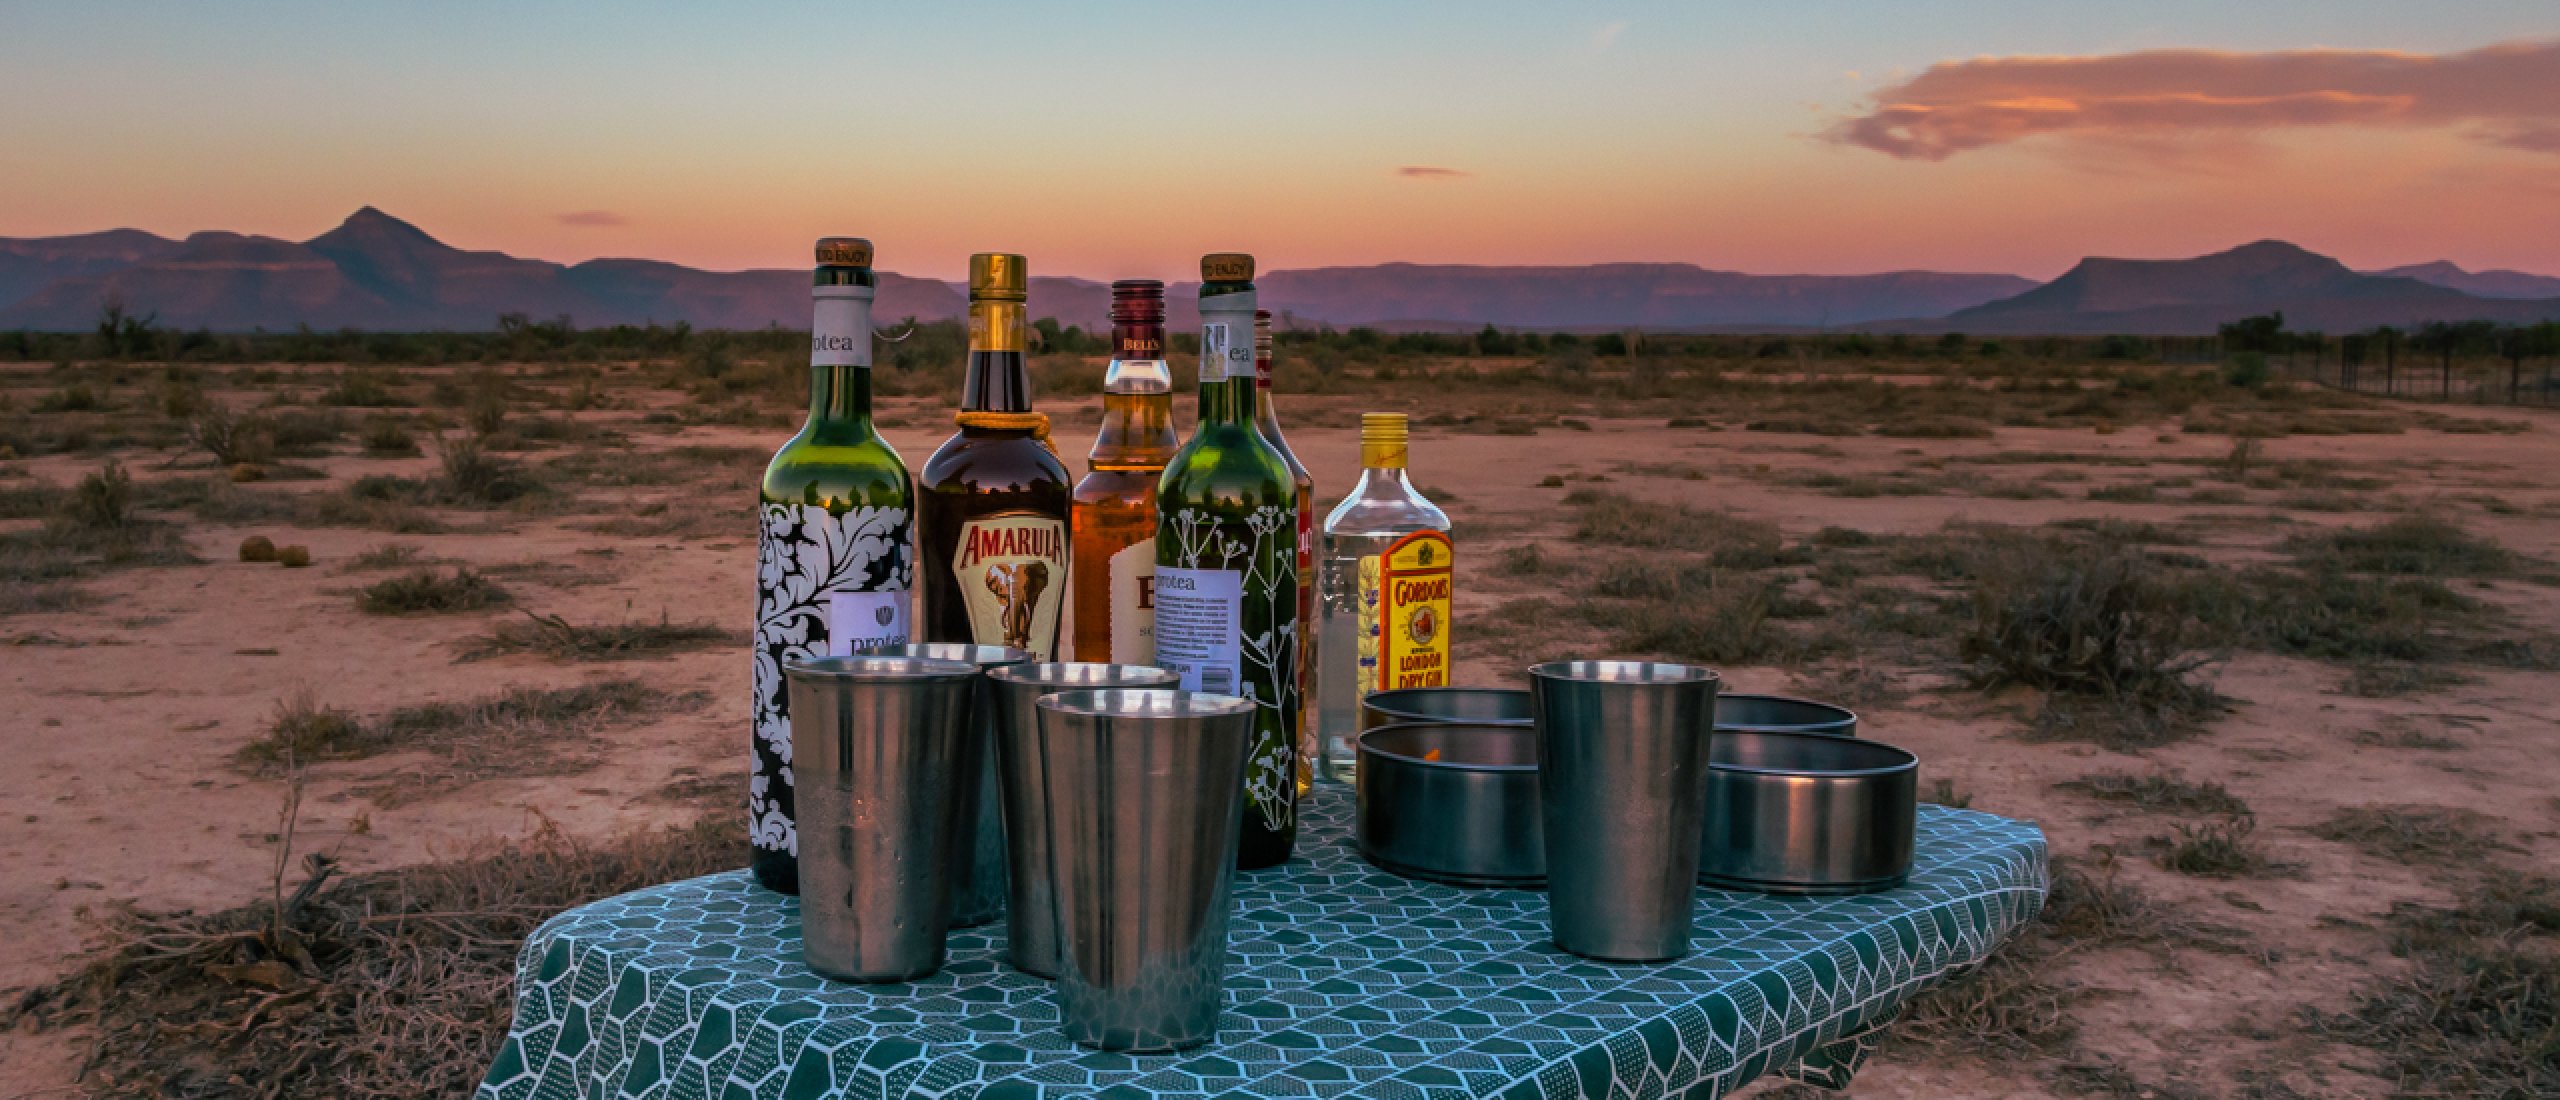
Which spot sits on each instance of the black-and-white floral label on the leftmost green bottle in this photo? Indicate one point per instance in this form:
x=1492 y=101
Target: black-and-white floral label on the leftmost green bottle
x=826 y=585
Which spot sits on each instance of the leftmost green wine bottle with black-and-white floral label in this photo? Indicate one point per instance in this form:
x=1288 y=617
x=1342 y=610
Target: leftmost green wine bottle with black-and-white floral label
x=833 y=544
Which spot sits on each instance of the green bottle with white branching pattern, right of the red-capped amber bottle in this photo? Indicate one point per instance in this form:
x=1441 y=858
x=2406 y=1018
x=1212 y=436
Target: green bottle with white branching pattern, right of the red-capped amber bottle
x=1228 y=562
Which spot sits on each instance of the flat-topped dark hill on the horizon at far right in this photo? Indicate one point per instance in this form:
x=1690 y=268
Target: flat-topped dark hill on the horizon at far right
x=2198 y=295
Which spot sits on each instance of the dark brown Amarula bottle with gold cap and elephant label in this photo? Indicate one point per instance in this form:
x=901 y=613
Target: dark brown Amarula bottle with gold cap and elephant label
x=995 y=495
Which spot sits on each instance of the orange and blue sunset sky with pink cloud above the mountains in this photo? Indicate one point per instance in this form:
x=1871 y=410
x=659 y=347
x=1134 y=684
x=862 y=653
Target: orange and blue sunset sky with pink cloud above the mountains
x=1128 y=139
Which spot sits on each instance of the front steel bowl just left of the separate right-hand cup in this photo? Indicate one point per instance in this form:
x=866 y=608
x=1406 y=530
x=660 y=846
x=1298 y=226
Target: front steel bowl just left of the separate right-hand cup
x=1453 y=802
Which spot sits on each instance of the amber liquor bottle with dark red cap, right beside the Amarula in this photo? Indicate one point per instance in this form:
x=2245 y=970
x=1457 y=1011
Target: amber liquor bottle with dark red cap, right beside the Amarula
x=1115 y=503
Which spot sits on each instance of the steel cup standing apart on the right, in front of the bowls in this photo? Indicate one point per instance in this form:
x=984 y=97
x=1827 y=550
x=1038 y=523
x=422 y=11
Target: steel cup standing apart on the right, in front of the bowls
x=1622 y=784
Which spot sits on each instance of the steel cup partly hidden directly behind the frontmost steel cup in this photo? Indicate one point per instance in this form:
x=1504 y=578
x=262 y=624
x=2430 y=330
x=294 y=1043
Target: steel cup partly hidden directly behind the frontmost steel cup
x=1030 y=930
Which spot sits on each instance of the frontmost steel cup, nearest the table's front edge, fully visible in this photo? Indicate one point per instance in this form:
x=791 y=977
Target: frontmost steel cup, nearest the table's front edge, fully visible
x=1146 y=802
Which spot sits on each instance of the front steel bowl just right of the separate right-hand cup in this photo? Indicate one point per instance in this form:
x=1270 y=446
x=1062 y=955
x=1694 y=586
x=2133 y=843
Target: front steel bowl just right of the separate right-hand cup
x=1809 y=815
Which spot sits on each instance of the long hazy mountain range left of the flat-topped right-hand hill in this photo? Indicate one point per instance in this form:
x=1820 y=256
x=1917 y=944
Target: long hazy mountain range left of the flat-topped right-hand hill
x=388 y=275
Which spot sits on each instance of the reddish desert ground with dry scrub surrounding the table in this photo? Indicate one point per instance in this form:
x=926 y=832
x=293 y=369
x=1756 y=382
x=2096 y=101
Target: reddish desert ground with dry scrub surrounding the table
x=2269 y=666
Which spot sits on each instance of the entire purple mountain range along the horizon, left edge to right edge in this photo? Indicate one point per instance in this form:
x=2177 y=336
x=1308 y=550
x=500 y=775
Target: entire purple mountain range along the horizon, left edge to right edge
x=380 y=272
